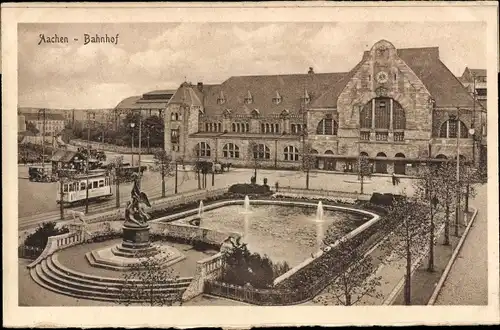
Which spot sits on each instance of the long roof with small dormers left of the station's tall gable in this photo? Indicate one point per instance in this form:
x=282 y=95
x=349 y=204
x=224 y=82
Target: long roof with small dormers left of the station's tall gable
x=264 y=89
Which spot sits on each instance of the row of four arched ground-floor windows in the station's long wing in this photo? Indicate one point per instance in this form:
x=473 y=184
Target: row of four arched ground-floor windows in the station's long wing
x=261 y=151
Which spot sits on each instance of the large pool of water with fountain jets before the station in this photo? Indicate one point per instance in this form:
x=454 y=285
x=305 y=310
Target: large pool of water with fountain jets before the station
x=284 y=230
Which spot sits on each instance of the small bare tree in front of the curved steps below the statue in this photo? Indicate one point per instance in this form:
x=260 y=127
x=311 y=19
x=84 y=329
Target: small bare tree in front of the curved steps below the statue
x=143 y=284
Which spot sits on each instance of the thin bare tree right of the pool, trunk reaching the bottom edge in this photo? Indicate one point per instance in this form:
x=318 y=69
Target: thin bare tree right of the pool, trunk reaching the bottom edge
x=406 y=221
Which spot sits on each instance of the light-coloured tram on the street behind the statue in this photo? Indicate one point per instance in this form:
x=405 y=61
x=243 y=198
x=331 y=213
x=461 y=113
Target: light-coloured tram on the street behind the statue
x=75 y=191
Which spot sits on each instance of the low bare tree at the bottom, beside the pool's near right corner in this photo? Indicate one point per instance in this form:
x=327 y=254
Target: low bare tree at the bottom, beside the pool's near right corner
x=356 y=271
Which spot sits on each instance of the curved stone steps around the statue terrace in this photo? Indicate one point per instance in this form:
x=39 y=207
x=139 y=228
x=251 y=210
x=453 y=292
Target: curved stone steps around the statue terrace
x=53 y=276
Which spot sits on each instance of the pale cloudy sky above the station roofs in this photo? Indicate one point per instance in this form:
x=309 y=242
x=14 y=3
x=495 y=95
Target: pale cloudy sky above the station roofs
x=151 y=56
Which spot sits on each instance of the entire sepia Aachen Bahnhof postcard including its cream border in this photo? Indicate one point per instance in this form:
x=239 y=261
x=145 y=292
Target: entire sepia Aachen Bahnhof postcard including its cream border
x=297 y=163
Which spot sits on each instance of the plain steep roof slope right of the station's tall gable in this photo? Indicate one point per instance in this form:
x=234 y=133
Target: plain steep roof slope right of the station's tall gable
x=444 y=87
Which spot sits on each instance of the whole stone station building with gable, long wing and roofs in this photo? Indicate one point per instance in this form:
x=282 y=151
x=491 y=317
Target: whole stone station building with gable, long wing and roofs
x=400 y=107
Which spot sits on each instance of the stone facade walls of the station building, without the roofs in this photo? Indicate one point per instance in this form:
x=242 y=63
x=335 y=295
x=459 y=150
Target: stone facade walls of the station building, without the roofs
x=381 y=74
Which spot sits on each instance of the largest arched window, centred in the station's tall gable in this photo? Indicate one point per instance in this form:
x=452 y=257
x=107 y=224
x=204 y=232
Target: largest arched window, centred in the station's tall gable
x=376 y=114
